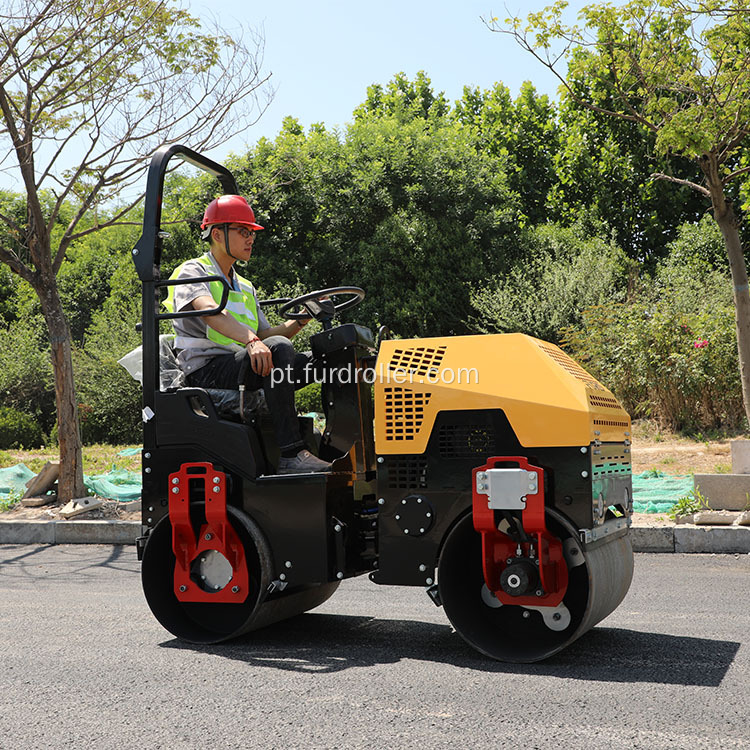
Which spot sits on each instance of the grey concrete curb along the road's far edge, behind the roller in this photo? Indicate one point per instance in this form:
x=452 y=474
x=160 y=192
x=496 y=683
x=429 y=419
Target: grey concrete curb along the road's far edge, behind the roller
x=682 y=538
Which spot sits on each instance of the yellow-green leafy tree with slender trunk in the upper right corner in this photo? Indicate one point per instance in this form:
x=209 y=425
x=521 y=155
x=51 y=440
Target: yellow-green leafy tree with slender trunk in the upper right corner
x=680 y=70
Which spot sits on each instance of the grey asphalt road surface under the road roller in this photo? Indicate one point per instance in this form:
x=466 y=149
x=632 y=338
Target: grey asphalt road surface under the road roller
x=83 y=664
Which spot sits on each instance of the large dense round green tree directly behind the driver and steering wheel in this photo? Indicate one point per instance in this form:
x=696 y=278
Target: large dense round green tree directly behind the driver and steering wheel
x=403 y=201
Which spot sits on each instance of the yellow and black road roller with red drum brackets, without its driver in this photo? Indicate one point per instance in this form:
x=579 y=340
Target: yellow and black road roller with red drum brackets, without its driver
x=492 y=471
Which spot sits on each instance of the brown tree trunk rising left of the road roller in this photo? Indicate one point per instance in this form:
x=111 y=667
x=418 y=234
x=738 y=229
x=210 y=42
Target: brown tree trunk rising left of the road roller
x=70 y=483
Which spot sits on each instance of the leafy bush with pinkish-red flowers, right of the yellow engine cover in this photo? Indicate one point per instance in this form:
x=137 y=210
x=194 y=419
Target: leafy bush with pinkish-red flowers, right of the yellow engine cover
x=671 y=354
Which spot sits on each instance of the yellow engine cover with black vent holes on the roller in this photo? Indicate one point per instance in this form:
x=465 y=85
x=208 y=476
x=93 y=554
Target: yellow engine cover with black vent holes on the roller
x=548 y=398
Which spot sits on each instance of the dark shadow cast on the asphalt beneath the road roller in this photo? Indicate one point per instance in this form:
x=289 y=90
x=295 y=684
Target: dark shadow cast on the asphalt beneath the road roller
x=323 y=643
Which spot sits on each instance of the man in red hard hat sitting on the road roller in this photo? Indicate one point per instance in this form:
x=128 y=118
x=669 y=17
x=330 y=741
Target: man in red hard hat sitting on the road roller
x=212 y=348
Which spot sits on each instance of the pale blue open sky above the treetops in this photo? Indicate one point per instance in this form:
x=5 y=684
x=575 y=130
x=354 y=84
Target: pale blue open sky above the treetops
x=323 y=55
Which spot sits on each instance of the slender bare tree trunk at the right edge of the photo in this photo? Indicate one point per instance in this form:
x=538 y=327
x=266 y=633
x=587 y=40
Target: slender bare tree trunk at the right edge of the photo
x=729 y=226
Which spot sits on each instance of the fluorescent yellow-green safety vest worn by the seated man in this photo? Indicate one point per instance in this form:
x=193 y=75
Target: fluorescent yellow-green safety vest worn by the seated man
x=241 y=305
